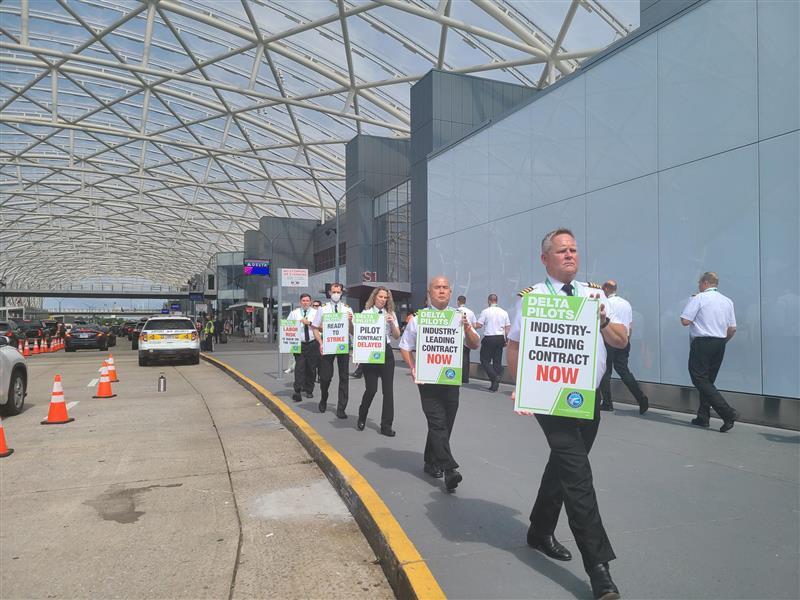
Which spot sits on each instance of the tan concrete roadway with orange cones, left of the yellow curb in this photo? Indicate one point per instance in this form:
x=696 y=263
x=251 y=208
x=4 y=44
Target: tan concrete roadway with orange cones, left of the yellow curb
x=197 y=492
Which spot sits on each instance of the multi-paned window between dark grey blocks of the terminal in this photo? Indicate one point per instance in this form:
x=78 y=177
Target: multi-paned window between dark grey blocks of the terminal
x=391 y=234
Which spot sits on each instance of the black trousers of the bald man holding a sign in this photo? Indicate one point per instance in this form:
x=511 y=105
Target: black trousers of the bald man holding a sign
x=440 y=405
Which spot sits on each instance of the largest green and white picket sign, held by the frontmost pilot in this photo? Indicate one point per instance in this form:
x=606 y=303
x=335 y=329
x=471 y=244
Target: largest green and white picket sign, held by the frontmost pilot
x=557 y=355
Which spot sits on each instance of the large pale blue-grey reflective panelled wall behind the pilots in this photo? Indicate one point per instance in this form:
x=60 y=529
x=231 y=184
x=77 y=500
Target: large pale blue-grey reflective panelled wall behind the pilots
x=678 y=154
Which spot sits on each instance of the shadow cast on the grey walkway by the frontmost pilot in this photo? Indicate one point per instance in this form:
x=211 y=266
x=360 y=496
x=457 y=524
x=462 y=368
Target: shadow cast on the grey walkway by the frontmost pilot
x=472 y=520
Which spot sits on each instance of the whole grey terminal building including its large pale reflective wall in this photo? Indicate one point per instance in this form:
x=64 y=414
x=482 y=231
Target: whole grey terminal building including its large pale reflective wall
x=664 y=155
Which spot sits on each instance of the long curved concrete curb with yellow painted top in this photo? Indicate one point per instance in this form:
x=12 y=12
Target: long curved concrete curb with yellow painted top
x=405 y=569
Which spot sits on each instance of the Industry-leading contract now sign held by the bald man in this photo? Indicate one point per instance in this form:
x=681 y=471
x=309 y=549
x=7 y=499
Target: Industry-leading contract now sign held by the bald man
x=440 y=346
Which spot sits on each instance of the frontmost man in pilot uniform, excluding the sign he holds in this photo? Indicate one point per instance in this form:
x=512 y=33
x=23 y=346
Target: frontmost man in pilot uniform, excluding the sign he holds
x=567 y=478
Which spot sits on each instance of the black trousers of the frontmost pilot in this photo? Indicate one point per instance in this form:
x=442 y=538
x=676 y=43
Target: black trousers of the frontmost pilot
x=567 y=480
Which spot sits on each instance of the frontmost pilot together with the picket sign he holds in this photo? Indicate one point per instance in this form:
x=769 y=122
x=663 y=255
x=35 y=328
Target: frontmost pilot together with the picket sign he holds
x=559 y=341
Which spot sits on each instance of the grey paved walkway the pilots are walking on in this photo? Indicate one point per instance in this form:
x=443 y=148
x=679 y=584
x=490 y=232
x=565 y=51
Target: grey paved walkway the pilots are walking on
x=691 y=512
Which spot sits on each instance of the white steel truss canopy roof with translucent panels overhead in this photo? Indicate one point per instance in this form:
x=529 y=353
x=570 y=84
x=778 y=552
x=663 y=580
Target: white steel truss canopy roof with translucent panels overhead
x=139 y=138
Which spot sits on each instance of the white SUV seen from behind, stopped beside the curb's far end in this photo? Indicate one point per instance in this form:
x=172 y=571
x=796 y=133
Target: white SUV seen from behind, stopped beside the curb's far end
x=169 y=337
